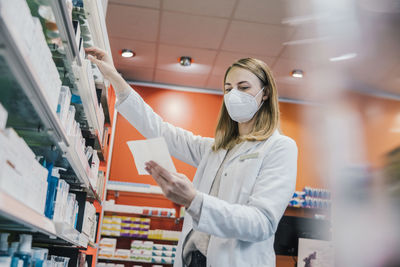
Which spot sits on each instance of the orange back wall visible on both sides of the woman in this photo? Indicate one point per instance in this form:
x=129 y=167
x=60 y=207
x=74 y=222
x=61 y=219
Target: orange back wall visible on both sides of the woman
x=199 y=113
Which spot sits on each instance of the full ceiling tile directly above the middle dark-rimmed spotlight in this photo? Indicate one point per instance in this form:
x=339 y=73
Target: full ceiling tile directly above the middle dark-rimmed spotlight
x=192 y=31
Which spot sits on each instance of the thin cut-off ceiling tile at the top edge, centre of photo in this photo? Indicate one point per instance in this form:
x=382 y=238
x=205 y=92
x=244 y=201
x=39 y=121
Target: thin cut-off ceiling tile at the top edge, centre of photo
x=221 y=8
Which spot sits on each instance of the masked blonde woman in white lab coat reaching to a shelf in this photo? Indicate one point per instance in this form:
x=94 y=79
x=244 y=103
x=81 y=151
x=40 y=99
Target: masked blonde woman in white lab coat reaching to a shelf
x=245 y=176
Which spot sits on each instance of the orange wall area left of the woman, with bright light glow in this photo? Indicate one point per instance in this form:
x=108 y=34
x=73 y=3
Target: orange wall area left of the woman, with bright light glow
x=183 y=109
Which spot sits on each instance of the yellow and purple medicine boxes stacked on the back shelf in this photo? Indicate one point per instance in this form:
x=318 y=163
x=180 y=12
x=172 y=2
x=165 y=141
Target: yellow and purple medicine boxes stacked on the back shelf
x=125 y=226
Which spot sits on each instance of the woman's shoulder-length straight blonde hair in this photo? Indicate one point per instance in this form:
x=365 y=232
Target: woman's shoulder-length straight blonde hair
x=266 y=118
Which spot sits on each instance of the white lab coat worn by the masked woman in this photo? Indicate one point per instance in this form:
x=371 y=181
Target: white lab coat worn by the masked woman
x=256 y=186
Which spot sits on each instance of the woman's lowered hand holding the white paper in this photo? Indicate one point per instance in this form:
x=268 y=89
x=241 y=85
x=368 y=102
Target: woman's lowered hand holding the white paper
x=175 y=186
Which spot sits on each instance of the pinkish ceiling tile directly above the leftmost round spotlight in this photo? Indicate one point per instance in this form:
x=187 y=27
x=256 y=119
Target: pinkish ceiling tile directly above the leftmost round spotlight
x=132 y=22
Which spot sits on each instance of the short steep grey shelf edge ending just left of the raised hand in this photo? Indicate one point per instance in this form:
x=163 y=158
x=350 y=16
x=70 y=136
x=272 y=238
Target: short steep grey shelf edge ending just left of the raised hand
x=65 y=27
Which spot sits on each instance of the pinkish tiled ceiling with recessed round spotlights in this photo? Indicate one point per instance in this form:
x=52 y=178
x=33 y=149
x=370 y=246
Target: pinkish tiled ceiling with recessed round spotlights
x=215 y=33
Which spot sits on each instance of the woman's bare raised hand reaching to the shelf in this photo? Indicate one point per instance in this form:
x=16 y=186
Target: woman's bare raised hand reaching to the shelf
x=102 y=60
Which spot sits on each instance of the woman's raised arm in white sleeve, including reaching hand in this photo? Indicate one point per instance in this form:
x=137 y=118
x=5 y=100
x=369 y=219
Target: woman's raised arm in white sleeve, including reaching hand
x=182 y=144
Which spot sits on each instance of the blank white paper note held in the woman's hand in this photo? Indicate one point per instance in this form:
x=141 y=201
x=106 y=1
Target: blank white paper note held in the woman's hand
x=154 y=149
